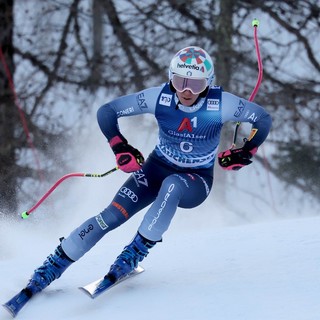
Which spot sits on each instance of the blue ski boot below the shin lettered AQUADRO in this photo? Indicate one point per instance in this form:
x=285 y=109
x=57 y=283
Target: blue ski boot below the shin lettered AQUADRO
x=129 y=258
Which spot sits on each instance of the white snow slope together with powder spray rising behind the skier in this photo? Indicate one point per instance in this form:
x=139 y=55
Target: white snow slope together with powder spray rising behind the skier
x=234 y=261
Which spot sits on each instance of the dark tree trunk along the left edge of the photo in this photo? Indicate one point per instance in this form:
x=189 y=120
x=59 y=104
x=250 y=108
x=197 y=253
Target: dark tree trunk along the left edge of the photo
x=9 y=117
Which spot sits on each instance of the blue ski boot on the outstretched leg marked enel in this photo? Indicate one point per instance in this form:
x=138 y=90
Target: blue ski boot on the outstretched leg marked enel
x=51 y=269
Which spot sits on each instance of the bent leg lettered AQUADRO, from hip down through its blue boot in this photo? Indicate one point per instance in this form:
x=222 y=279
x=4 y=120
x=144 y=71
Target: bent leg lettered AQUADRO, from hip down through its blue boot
x=184 y=190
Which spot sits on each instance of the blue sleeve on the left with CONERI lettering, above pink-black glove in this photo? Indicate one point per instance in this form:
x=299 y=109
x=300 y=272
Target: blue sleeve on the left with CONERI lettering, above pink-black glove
x=129 y=105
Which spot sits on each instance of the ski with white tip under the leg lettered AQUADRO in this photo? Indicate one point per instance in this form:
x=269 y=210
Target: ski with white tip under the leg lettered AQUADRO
x=95 y=288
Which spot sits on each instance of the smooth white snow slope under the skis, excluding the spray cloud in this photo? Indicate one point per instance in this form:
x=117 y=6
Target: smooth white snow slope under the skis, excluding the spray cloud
x=259 y=271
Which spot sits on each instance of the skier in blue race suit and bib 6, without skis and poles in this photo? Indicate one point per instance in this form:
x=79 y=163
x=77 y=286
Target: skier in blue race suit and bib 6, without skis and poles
x=190 y=113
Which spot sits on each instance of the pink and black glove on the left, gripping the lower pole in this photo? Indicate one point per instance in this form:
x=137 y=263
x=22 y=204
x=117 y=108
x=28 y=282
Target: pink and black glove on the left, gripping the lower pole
x=128 y=158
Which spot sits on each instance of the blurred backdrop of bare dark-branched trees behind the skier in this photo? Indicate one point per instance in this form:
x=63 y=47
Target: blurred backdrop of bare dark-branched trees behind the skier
x=79 y=46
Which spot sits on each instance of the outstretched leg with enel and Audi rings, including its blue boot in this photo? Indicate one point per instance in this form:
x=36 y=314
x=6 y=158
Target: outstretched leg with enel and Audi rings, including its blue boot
x=129 y=200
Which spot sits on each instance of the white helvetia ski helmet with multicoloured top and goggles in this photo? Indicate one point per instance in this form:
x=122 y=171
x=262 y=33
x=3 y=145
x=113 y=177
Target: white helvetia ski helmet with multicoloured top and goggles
x=191 y=68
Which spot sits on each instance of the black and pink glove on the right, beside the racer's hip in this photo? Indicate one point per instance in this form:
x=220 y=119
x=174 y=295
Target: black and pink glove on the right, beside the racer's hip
x=235 y=159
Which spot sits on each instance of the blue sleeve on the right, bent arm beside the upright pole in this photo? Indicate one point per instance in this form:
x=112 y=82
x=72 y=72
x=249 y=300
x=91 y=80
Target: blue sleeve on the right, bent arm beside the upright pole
x=240 y=110
